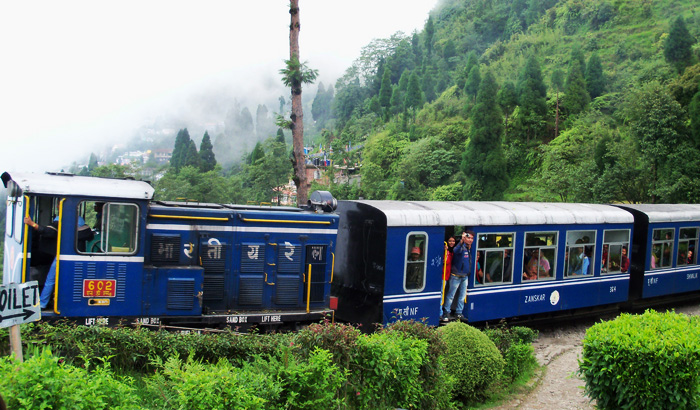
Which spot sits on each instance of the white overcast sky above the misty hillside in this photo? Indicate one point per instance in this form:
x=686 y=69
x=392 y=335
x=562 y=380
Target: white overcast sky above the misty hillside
x=79 y=76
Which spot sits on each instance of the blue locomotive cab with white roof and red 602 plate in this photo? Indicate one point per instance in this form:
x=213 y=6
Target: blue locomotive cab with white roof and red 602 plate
x=84 y=244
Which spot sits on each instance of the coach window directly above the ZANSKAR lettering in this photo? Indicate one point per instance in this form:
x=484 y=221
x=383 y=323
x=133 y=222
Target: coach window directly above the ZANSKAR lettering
x=539 y=260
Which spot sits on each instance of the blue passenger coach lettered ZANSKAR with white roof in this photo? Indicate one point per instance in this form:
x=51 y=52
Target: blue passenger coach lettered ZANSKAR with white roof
x=533 y=258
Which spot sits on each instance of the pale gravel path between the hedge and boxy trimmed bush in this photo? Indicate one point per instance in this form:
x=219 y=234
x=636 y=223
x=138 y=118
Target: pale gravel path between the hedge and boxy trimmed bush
x=557 y=386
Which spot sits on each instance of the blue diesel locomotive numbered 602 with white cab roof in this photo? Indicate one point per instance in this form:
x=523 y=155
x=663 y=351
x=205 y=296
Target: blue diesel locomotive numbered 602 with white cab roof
x=167 y=263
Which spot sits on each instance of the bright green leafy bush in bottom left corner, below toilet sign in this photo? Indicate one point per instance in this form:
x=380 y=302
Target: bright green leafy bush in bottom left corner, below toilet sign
x=43 y=381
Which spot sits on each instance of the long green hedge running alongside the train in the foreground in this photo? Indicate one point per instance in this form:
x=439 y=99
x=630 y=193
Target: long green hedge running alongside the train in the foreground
x=406 y=364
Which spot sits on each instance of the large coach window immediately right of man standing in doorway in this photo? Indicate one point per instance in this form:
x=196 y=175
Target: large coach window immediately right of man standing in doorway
x=497 y=251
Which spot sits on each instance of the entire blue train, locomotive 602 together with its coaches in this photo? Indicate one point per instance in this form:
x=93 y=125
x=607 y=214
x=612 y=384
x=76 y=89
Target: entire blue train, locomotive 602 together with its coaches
x=185 y=264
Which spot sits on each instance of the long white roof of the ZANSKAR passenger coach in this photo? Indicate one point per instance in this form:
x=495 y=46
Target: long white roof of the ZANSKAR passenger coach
x=426 y=213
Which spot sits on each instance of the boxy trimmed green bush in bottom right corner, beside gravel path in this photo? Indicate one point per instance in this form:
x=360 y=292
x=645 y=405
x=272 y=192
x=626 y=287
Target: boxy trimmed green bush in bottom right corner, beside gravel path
x=649 y=361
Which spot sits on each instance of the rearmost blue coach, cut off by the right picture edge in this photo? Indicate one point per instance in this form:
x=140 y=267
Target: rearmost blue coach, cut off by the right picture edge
x=664 y=249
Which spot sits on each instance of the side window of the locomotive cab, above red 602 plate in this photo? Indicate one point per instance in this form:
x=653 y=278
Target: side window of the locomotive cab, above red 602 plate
x=115 y=227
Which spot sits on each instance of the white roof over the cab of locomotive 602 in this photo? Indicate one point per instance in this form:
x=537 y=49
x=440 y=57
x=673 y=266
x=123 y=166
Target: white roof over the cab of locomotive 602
x=66 y=184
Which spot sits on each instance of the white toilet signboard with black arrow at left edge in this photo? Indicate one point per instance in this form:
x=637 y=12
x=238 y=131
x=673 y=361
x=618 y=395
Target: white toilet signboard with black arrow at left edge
x=19 y=303
